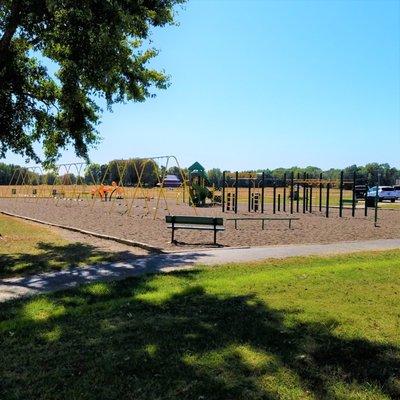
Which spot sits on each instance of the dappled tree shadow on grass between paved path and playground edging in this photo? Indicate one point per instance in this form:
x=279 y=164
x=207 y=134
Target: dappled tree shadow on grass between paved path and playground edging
x=50 y=257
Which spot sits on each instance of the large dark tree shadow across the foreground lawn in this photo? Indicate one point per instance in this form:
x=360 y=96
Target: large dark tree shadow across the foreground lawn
x=122 y=341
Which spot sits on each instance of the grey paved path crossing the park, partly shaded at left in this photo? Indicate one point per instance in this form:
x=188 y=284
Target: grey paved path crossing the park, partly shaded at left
x=17 y=287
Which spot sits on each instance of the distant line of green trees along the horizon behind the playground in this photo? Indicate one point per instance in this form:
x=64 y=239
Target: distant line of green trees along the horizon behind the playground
x=150 y=173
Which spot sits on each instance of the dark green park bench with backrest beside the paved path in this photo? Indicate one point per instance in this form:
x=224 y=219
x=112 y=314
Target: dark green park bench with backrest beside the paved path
x=196 y=223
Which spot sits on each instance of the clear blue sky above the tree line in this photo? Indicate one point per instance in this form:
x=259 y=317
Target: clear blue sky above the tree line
x=263 y=84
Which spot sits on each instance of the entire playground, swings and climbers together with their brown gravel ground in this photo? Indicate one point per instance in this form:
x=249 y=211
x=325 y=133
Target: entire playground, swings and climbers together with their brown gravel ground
x=131 y=199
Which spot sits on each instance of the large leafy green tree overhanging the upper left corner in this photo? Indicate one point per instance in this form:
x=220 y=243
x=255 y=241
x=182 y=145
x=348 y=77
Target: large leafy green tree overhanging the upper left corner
x=100 y=49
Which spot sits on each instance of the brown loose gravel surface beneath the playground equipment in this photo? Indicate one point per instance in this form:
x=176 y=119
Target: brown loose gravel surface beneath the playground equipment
x=112 y=218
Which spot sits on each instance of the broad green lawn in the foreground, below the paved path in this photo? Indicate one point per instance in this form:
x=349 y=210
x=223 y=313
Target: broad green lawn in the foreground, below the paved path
x=303 y=328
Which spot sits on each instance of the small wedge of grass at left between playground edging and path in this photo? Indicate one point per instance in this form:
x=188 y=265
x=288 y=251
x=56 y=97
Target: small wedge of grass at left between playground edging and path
x=27 y=248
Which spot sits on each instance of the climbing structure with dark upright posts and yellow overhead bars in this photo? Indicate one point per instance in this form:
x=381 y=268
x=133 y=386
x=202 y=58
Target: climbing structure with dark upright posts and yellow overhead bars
x=315 y=194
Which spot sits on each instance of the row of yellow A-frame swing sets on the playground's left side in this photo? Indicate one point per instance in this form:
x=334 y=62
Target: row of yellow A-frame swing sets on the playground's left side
x=127 y=184
